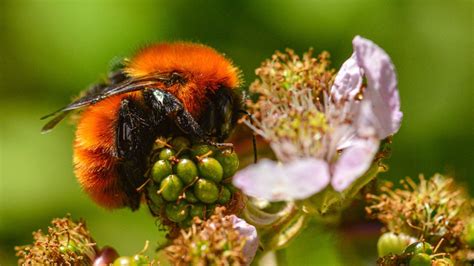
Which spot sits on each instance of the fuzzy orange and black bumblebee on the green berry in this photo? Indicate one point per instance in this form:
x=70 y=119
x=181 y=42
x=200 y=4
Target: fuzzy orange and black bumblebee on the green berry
x=165 y=89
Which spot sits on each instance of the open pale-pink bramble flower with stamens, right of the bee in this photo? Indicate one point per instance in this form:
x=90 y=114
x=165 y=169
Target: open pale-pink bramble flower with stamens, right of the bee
x=323 y=135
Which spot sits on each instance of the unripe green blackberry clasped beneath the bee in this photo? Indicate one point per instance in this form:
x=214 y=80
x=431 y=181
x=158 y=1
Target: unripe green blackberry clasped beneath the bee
x=189 y=180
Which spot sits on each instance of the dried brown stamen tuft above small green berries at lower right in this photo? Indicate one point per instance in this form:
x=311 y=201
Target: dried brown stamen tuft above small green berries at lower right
x=432 y=210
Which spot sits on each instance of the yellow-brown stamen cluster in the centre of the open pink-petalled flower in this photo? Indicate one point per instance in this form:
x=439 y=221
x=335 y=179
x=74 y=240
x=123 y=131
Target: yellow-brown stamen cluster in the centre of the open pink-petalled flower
x=290 y=109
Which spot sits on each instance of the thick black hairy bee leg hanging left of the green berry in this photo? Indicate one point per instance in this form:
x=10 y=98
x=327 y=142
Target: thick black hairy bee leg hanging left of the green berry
x=134 y=140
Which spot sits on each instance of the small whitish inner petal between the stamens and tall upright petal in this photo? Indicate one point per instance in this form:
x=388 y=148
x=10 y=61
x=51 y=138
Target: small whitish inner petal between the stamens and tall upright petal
x=348 y=80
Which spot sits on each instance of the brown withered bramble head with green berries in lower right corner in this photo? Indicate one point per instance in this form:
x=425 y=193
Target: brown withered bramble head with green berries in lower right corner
x=432 y=218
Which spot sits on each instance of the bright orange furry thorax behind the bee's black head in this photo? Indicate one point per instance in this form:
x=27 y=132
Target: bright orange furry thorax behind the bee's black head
x=203 y=68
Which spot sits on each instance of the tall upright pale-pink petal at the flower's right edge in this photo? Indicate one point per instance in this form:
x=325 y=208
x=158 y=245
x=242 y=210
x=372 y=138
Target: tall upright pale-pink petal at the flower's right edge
x=382 y=91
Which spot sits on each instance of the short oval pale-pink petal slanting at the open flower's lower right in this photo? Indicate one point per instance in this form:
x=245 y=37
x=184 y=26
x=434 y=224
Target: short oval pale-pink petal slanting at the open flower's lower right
x=353 y=163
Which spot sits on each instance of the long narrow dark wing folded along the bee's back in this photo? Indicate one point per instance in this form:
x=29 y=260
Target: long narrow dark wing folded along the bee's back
x=115 y=89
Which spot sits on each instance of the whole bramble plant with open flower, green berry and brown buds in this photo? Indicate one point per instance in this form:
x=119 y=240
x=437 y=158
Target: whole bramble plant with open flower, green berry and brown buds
x=330 y=132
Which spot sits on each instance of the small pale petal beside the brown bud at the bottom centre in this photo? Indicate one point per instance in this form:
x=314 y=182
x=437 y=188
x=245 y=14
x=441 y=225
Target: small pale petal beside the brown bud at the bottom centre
x=251 y=238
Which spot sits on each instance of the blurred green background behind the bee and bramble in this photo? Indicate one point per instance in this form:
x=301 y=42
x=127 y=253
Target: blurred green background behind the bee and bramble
x=50 y=50
